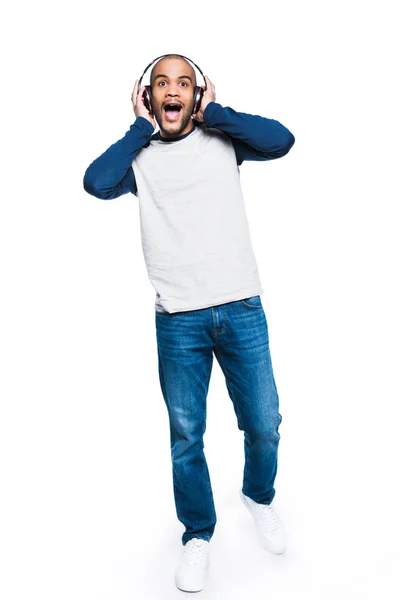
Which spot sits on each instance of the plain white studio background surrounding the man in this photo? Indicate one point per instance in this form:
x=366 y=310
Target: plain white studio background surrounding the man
x=86 y=506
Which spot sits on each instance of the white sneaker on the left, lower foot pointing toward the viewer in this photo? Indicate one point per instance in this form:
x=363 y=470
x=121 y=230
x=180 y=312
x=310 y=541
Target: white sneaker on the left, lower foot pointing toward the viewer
x=191 y=575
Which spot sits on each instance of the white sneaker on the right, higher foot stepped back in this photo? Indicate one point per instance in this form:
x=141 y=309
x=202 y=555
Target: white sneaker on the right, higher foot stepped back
x=269 y=526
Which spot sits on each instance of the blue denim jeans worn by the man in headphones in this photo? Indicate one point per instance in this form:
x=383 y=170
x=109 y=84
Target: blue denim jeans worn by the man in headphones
x=237 y=333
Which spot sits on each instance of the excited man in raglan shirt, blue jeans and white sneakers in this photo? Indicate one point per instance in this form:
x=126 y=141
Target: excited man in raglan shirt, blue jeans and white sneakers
x=199 y=258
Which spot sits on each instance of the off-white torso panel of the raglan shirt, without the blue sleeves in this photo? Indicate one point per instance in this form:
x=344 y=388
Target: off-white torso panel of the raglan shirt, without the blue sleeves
x=194 y=229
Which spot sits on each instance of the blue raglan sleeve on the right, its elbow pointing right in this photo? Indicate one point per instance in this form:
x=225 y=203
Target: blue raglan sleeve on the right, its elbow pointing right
x=253 y=137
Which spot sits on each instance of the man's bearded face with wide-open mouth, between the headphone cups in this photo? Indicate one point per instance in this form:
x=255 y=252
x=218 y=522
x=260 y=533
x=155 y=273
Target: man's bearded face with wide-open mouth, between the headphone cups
x=173 y=82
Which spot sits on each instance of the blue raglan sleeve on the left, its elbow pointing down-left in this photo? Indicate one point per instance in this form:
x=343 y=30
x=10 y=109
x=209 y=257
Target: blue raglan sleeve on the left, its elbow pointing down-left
x=111 y=174
